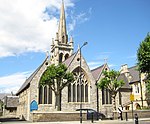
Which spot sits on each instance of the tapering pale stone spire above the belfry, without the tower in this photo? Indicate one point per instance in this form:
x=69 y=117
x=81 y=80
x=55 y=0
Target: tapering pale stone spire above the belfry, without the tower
x=62 y=32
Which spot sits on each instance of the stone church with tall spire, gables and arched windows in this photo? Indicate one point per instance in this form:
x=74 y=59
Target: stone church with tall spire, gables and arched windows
x=34 y=98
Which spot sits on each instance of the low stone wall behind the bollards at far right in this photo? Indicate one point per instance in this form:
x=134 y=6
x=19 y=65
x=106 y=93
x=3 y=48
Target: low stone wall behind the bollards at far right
x=140 y=113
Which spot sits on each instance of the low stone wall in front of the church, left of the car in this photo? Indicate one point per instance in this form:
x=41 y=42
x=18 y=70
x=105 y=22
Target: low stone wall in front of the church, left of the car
x=58 y=116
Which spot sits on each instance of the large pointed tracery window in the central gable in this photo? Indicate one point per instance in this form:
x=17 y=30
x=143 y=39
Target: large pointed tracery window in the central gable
x=77 y=88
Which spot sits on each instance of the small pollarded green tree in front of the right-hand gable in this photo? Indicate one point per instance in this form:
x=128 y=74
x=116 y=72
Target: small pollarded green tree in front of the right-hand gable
x=110 y=81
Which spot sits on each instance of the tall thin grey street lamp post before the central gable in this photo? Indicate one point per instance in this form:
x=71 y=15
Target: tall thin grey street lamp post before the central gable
x=85 y=43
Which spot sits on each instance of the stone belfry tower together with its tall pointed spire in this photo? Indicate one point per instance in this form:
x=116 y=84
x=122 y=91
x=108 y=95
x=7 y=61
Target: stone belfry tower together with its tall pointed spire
x=61 y=48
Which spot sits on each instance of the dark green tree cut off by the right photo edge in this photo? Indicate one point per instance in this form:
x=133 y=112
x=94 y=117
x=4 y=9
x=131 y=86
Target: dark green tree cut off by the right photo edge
x=143 y=58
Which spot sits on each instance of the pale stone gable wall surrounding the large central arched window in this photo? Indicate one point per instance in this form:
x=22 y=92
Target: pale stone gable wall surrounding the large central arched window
x=92 y=100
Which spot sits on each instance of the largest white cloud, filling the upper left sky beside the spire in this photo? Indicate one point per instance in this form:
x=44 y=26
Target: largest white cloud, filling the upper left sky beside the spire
x=27 y=25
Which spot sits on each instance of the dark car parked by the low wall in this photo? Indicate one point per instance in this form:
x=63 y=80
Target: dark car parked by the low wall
x=91 y=112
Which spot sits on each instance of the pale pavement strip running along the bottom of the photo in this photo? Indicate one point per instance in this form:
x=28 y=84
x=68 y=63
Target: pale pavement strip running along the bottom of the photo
x=130 y=121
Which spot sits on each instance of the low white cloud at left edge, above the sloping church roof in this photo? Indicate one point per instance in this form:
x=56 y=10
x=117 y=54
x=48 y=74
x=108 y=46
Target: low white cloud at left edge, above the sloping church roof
x=12 y=83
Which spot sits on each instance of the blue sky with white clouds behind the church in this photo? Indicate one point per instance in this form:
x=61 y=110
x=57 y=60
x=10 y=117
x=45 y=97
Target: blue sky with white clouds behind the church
x=112 y=28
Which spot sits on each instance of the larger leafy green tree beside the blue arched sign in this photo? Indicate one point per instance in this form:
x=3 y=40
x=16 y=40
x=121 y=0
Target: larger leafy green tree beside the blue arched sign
x=57 y=77
